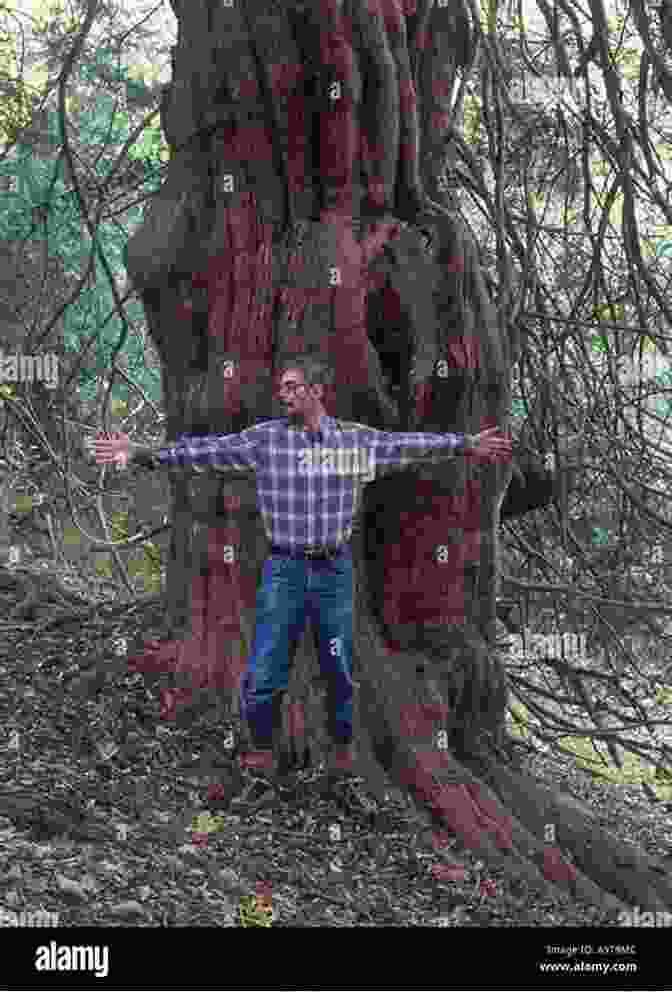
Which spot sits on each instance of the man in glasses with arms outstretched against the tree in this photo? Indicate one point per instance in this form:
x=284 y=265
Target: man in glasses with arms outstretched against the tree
x=310 y=469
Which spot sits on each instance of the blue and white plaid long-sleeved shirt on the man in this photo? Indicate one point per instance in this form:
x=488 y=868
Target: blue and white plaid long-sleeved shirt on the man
x=309 y=484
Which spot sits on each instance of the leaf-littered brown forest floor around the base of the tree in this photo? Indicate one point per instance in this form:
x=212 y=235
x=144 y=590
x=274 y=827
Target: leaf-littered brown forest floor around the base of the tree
x=98 y=797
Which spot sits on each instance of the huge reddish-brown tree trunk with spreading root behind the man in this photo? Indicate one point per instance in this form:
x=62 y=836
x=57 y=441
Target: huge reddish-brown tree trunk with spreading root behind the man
x=233 y=263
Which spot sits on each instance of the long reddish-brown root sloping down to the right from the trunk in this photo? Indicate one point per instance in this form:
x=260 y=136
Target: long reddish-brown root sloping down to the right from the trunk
x=502 y=815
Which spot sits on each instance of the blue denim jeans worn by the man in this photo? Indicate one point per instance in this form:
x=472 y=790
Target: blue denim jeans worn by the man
x=293 y=590
